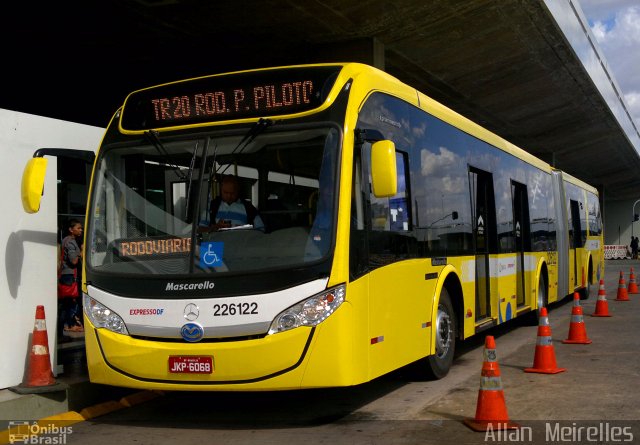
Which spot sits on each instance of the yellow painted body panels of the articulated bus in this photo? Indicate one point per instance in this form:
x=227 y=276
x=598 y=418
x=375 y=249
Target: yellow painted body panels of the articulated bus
x=387 y=321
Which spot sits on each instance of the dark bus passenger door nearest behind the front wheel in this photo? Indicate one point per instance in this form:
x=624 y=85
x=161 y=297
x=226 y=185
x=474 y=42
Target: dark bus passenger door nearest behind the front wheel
x=483 y=211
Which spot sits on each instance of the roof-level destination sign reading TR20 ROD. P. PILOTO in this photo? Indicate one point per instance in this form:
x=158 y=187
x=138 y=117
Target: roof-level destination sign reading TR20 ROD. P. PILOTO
x=222 y=98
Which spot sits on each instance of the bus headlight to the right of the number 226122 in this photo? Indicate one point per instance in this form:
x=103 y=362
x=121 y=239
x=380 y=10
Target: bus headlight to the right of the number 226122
x=309 y=312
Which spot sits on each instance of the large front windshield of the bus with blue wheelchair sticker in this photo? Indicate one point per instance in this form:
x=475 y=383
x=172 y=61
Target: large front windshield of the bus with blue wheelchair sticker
x=154 y=201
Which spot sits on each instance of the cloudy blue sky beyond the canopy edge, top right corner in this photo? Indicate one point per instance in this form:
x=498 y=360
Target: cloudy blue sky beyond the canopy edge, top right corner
x=616 y=26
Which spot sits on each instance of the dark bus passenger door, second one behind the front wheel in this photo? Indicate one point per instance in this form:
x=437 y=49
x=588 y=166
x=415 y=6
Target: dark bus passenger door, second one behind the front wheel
x=522 y=235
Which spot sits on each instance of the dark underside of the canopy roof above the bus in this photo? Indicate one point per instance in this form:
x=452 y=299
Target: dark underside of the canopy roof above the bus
x=504 y=64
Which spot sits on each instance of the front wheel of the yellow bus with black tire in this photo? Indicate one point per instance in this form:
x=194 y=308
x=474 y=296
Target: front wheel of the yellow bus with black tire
x=438 y=364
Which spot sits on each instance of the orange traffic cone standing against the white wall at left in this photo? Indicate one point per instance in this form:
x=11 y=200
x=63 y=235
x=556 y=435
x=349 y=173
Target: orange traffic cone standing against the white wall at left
x=39 y=377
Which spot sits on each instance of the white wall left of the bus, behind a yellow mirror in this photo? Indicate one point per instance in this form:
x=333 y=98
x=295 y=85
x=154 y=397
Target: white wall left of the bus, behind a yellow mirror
x=28 y=265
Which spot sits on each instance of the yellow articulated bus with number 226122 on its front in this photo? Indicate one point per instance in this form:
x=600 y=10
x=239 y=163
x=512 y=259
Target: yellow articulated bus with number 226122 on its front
x=390 y=228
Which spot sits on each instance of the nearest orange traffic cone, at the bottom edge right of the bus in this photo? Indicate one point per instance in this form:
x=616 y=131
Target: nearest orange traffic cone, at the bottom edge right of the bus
x=491 y=409
